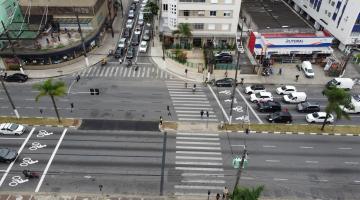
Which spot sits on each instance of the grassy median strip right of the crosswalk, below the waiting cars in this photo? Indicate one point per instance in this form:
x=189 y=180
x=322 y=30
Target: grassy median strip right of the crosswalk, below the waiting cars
x=310 y=128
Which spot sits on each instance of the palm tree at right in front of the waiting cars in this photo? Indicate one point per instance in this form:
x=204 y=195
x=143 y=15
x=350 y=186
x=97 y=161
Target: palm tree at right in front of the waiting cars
x=337 y=97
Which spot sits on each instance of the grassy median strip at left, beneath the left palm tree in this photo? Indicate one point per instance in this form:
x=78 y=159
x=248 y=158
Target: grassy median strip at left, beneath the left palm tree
x=41 y=121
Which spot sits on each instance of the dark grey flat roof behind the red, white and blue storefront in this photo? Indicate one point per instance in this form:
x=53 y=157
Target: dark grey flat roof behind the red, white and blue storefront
x=272 y=14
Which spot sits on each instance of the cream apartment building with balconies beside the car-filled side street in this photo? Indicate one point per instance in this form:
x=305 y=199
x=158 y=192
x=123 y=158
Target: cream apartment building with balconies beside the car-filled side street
x=211 y=21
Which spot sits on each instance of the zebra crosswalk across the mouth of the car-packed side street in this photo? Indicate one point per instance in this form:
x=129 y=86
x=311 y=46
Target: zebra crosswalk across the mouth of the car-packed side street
x=120 y=71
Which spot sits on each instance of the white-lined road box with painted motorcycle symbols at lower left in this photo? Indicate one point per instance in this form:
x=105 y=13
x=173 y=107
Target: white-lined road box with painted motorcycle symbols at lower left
x=35 y=154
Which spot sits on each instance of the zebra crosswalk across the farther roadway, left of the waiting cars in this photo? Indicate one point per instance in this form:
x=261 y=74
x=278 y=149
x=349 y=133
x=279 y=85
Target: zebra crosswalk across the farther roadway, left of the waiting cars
x=188 y=105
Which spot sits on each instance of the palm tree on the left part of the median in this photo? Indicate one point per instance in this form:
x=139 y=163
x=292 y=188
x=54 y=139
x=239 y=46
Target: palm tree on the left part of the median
x=48 y=88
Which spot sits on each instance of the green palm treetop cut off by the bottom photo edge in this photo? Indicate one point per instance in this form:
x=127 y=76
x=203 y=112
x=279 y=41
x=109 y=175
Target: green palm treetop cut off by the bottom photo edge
x=243 y=193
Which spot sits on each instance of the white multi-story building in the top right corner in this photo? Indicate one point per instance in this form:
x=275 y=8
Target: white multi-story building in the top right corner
x=340 y=17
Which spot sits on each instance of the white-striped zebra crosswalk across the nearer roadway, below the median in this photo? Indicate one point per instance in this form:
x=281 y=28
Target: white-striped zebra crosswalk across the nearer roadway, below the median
x=198 y=157
